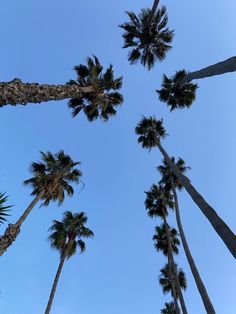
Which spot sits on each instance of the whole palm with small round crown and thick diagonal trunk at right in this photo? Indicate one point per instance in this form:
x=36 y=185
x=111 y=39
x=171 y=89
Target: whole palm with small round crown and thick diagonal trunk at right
x=150 y=132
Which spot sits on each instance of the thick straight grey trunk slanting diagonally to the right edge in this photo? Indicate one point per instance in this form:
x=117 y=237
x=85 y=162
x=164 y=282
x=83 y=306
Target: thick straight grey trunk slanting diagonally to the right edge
x=226 y=234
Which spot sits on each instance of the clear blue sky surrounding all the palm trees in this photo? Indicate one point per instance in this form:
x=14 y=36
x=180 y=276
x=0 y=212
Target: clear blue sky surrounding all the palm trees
x=41 y=41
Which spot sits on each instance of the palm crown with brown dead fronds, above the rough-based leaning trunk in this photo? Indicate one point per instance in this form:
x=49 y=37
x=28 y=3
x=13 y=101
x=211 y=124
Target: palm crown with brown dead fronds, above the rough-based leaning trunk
x=53 y=176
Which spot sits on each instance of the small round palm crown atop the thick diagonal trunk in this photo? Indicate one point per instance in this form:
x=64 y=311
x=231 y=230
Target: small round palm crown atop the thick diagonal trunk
x=150 y=131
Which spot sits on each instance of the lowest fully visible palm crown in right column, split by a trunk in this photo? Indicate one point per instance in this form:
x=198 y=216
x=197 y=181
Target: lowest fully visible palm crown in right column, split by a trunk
x=165 y=281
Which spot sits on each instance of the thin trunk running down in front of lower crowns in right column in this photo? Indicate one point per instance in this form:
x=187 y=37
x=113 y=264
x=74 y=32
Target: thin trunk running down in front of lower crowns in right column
x=179 y=291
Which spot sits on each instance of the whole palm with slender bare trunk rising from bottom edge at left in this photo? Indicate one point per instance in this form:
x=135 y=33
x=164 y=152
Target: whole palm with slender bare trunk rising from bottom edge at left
x=66 y=236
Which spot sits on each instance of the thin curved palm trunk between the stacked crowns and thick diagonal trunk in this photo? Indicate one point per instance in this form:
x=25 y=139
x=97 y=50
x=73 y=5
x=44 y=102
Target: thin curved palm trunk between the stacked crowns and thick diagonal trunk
x=200 y=285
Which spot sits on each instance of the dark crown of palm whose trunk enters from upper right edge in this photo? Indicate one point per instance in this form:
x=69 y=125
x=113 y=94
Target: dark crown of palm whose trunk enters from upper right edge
x=175 y=93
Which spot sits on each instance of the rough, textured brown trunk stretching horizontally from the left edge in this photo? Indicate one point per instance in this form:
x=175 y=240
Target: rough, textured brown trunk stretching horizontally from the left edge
x=15 y=92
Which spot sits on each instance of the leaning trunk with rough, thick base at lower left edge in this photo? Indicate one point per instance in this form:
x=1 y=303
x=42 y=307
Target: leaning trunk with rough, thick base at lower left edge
x=13 y=230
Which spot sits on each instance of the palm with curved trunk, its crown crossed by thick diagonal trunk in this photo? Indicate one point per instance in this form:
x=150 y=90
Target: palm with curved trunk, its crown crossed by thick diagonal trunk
x=171 y=183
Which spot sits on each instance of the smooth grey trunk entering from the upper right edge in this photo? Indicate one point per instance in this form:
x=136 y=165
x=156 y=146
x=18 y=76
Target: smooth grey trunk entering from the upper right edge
x=226 y=66
